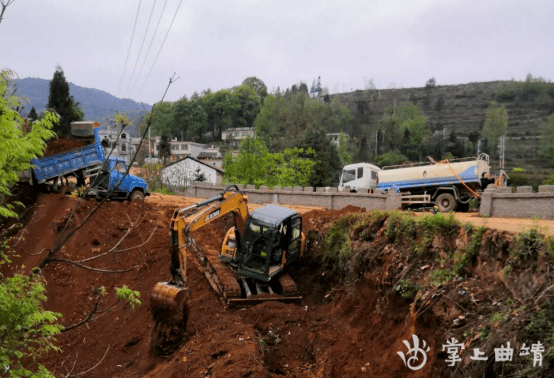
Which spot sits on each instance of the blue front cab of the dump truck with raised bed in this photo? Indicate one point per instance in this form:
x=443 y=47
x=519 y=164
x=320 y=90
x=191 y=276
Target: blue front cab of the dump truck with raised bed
x=112 y=177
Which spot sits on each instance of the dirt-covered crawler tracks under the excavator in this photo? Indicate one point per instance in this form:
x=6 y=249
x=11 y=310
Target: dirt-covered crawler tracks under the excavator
x=240 y=291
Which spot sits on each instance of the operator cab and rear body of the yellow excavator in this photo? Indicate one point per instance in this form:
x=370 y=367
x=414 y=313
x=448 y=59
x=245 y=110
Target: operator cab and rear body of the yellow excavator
x=272 y=240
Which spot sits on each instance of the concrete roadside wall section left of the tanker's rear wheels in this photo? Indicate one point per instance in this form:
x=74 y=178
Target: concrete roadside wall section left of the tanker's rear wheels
x=321 y=197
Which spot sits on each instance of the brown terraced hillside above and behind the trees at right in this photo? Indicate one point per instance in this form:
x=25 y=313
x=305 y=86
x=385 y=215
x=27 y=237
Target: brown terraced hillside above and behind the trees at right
x=461 y=108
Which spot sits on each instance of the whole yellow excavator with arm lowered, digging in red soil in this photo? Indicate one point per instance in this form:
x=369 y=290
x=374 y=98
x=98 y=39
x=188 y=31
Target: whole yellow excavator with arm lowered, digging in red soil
x=250 y=266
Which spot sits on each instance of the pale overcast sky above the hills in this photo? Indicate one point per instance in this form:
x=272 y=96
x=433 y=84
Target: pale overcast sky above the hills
x=217 y=44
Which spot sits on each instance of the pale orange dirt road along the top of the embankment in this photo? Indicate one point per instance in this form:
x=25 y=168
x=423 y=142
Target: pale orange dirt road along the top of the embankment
x=514 y=225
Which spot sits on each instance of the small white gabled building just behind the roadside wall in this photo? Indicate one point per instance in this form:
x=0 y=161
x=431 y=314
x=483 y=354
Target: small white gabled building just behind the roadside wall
x=185 y=171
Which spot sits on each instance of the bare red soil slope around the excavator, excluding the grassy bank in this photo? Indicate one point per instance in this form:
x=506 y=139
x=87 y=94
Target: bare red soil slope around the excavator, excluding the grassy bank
x=337 y=331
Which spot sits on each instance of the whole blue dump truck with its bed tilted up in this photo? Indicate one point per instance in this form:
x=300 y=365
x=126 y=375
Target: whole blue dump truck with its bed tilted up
x=90 y=163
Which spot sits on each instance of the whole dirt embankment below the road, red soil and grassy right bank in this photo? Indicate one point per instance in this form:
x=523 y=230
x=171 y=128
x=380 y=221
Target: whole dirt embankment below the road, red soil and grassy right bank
x=388 y=280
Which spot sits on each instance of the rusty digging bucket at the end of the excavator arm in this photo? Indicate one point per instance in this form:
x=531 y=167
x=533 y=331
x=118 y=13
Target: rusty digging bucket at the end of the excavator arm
x=169 y=304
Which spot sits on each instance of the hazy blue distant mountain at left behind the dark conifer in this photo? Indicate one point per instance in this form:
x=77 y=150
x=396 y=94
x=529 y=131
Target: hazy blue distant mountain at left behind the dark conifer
x=97 y=105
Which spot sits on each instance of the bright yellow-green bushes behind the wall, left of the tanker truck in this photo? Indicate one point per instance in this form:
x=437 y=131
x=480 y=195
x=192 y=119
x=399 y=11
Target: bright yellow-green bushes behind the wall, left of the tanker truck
x=255 y=165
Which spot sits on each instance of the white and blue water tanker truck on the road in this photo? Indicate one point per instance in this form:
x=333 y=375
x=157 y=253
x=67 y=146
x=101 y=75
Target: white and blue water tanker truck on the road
x=448 y=184
